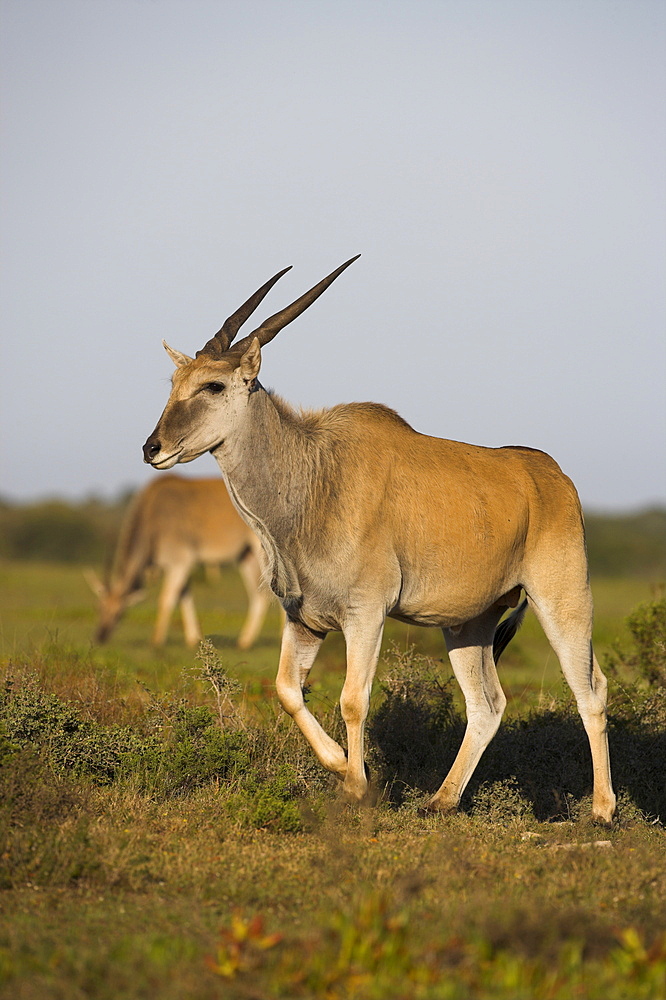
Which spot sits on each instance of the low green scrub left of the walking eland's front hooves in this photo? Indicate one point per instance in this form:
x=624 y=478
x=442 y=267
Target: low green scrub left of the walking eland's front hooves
x=179 y=748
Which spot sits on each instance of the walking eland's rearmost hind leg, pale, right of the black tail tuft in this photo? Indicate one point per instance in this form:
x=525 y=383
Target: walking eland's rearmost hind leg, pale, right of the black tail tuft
x=567 y=621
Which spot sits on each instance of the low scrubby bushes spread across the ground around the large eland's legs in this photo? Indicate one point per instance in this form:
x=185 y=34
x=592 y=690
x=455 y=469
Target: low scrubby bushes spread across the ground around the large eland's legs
x=537 y=764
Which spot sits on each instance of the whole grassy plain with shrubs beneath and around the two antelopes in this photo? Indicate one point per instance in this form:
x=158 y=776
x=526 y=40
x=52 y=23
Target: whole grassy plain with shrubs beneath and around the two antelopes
x=165 y=831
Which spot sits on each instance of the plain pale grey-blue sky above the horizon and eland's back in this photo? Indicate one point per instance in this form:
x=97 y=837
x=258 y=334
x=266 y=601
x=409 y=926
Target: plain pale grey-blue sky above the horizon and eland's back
x=500 y=165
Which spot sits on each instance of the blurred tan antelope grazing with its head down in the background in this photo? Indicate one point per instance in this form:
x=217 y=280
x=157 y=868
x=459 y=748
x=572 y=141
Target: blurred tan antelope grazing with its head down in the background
x=172 y=525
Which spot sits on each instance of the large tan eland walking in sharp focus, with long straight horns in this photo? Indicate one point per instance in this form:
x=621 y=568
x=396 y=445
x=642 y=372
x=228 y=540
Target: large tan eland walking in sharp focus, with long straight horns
x=362 y=517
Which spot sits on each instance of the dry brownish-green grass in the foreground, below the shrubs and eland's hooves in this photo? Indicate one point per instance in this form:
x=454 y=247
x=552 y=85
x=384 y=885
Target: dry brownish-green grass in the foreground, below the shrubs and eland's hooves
x=157 y=883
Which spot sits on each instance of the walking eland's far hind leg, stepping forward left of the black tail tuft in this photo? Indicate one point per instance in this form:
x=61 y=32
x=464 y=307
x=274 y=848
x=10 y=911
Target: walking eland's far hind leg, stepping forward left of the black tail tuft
x=470 y=651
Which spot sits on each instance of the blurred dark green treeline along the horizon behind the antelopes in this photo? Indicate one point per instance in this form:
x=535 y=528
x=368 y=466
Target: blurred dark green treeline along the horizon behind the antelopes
x=59 y=531
